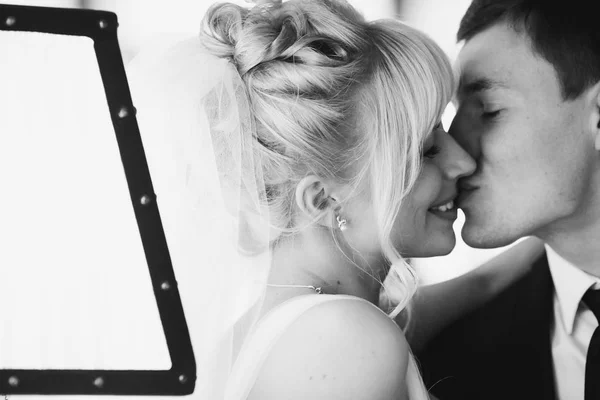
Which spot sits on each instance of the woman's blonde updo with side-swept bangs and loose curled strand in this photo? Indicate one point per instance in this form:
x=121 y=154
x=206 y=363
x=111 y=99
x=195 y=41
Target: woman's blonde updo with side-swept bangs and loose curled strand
x=336 y=96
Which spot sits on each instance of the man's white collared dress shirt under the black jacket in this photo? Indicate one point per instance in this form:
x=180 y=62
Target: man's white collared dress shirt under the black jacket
x=573 y=327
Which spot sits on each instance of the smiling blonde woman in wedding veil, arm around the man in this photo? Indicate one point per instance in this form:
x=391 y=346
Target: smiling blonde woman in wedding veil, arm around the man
x=298 y=156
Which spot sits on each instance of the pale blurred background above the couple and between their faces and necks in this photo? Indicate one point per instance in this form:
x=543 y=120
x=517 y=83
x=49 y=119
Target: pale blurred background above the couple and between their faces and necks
x=141 y=21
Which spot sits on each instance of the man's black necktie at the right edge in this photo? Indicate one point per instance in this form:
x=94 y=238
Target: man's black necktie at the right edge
x=592 y=364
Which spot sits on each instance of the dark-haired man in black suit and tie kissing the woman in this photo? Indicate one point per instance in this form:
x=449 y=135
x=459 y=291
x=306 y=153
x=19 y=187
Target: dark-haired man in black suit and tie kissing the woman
x=529 y=113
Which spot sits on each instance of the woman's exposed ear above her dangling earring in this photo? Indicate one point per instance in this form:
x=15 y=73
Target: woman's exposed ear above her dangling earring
x=316 y=198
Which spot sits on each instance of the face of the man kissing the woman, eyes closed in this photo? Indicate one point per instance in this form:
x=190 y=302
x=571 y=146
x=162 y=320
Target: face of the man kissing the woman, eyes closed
x=531 y=147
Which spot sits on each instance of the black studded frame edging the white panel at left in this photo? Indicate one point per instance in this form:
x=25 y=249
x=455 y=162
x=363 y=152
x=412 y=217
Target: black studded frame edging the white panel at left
x=101 y=27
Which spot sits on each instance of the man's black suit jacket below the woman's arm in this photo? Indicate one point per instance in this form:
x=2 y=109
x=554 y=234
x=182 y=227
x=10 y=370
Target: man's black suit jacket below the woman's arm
x=500 y=351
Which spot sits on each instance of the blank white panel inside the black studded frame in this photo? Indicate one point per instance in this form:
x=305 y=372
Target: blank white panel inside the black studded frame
x=75 y=288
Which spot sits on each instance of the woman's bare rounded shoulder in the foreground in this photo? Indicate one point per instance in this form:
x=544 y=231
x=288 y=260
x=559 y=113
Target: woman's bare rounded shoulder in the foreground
x=346 y=348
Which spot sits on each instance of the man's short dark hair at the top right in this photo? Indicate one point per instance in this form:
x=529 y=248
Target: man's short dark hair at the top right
x=566 y=34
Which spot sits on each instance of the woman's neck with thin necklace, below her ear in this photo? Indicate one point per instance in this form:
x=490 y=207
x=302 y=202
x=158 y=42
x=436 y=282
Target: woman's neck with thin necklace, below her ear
x=313 y=258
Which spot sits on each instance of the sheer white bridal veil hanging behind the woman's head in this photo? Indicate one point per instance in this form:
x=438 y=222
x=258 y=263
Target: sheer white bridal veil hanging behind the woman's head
x=197 y=132
